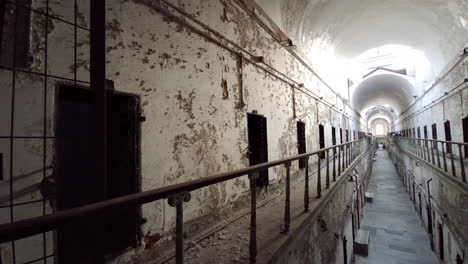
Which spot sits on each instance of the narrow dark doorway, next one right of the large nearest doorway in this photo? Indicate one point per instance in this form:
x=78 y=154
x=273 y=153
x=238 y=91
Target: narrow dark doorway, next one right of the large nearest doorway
x=258 y=145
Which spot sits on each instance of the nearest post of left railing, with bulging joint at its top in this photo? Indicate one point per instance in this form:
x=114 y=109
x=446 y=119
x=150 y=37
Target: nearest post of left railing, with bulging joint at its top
x=178 y=202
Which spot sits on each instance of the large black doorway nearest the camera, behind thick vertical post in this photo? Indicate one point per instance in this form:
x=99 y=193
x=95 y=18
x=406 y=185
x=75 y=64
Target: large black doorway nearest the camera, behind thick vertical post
x=77 y=184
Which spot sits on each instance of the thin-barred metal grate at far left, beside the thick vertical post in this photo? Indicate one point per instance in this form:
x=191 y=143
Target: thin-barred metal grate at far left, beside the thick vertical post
x=42 y=44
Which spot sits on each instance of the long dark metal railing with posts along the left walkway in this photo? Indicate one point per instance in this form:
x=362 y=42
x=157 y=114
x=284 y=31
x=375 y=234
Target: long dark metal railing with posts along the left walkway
x=343 y=155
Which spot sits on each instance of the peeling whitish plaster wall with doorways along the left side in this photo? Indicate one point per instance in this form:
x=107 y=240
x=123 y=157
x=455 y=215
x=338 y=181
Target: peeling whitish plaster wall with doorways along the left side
x=195 y=93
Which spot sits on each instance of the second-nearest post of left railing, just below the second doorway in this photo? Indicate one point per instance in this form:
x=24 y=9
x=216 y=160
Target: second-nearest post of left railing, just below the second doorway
x=253 y=218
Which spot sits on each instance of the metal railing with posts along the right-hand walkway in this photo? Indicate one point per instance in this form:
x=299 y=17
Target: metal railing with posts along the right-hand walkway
x=438 y=152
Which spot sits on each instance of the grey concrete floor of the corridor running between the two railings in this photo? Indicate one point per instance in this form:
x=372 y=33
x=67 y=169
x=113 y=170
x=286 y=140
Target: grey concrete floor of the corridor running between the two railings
x=397 y=234
